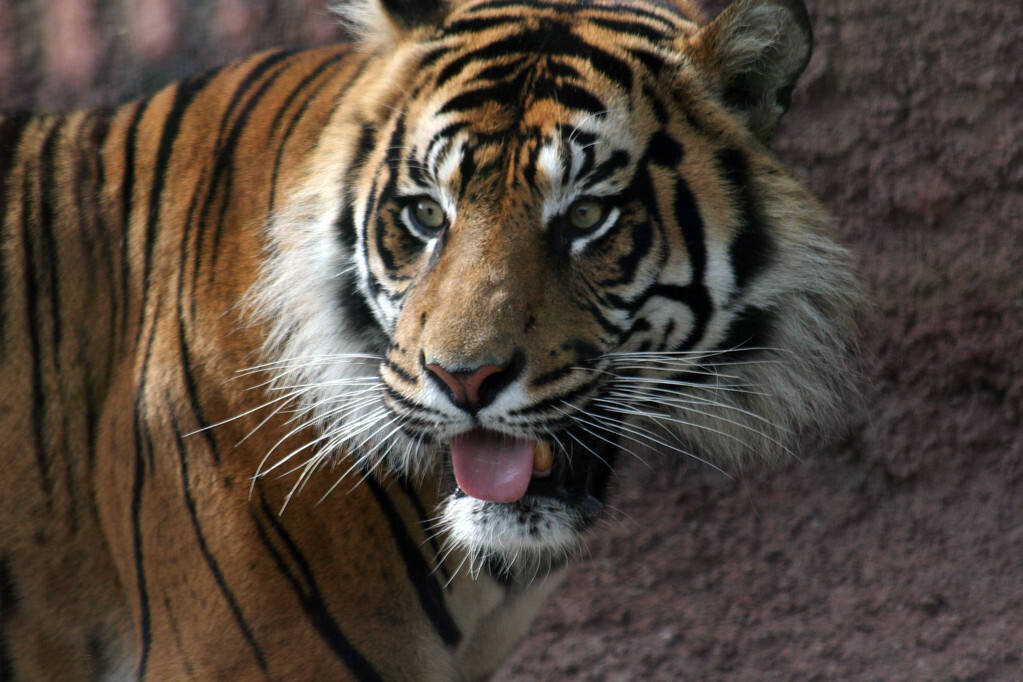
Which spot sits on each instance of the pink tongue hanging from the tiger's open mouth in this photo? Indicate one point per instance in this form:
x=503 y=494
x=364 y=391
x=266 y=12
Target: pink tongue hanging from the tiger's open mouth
x=493 y=467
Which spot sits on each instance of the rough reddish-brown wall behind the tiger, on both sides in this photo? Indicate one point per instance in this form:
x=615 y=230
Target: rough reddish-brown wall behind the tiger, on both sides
x=895 y=550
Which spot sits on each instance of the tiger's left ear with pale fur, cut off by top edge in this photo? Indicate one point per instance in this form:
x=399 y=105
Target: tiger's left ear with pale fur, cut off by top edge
x=379 y=24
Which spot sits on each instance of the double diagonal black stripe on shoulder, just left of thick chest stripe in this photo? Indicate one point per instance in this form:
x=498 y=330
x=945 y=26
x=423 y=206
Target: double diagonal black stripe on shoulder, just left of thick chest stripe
x=309 y=595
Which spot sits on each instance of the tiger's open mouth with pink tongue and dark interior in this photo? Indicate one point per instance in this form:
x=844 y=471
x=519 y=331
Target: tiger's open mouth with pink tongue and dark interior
x=498 y=468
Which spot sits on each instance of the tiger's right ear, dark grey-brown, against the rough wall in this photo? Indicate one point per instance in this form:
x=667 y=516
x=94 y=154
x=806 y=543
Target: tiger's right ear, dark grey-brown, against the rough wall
x=757 y=50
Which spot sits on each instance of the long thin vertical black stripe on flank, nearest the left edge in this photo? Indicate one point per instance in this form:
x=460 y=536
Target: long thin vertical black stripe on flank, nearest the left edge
x=35 y=347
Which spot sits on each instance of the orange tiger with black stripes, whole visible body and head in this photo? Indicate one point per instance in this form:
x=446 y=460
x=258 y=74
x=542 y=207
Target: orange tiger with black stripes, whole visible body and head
x=321 y=366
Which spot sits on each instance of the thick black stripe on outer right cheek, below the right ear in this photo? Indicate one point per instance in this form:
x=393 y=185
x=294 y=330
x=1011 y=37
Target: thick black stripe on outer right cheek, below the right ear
x=752 y=248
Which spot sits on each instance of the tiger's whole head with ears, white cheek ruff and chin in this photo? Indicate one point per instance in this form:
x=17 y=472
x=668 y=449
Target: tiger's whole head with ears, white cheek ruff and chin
x=561 y=238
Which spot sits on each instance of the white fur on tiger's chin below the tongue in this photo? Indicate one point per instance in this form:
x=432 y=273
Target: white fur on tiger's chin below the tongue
x=532 y=535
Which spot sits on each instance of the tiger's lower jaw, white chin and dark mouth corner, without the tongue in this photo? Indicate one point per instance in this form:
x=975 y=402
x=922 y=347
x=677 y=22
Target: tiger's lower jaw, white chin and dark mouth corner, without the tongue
x=543 y=530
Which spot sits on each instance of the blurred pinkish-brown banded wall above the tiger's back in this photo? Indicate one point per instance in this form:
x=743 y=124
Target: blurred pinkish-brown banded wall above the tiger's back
x=61 y=54
